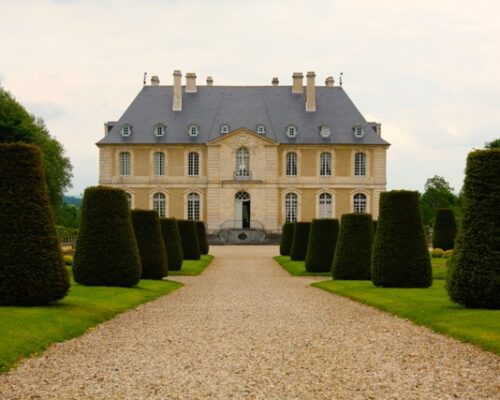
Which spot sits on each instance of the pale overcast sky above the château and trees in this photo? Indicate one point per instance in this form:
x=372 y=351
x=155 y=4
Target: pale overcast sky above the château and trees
x=428 y=70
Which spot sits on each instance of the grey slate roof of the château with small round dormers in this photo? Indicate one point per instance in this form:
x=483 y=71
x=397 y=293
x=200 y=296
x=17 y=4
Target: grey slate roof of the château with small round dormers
x=276 y=107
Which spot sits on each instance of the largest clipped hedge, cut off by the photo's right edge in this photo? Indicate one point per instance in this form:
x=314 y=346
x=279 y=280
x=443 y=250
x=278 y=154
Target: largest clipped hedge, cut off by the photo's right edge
x=474 y=275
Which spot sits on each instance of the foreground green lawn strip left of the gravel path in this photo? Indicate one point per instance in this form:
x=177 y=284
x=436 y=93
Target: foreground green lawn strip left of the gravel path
x=29 y=330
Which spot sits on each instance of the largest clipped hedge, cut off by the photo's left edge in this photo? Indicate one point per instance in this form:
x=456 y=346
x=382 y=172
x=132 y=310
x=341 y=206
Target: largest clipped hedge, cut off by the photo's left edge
x=32 y=270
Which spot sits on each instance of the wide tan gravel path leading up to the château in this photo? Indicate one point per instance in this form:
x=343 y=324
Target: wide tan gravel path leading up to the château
x=245 y=329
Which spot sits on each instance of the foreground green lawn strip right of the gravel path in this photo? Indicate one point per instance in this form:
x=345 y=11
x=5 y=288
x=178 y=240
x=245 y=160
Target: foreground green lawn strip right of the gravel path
x=429 y=307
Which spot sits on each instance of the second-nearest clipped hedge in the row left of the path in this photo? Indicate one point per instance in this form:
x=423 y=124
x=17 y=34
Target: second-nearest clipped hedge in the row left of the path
x=106 y=250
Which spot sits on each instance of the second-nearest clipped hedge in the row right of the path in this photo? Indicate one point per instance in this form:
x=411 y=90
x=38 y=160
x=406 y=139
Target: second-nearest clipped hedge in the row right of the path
x=400 y=255
